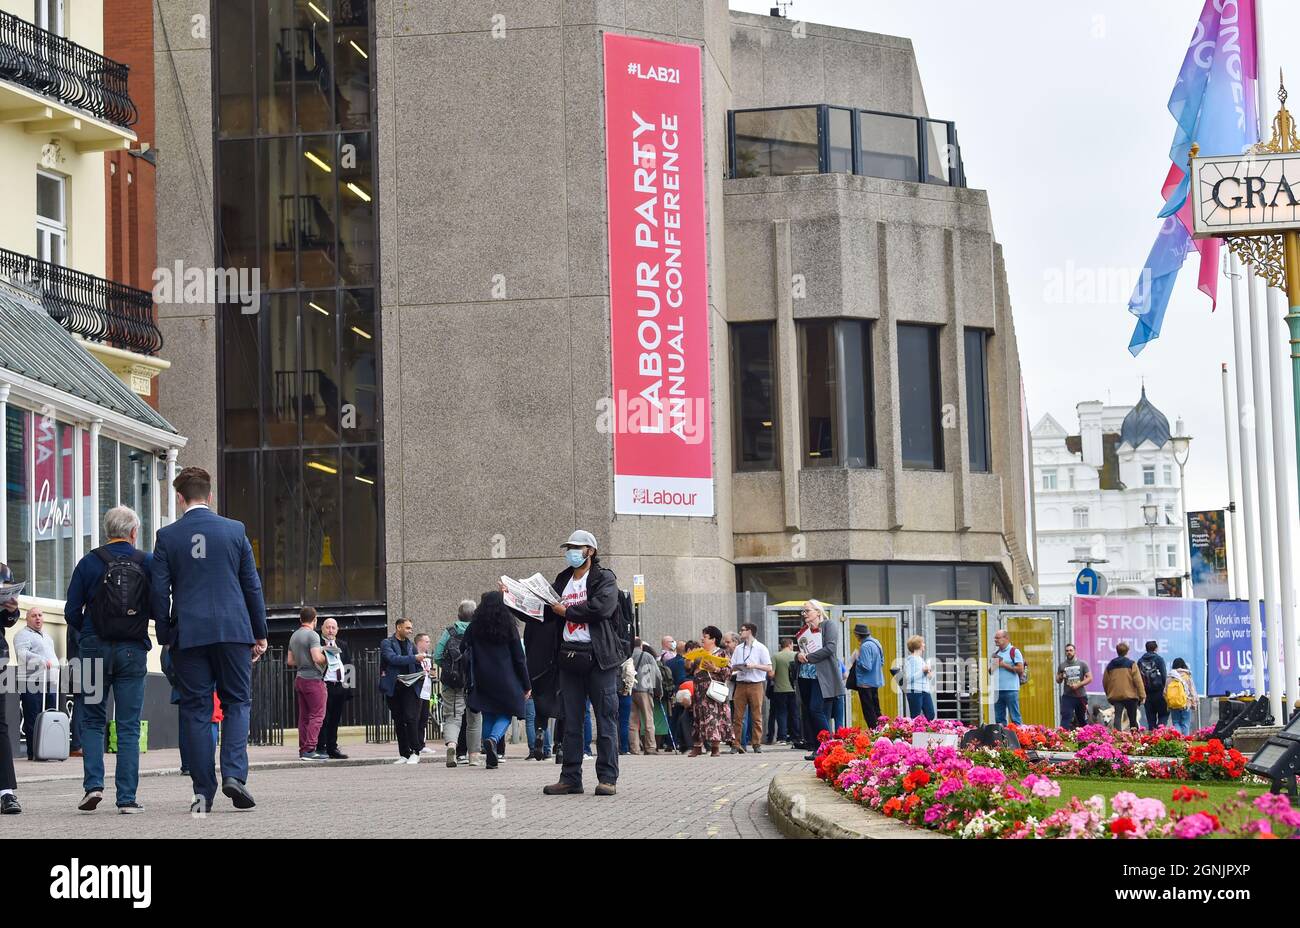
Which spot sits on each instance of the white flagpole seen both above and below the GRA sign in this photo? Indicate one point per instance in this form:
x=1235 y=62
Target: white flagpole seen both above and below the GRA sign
x=1285 y=622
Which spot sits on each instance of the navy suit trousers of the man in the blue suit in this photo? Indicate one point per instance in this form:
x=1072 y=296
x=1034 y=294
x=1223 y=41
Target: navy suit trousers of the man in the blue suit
x=227 y=669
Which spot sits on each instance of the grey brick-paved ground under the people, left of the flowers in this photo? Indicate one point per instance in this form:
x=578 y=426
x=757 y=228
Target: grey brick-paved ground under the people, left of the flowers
x=660 y=797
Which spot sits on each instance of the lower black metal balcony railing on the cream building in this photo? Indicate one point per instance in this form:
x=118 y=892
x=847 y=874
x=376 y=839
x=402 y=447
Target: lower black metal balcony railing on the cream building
x=88 y=306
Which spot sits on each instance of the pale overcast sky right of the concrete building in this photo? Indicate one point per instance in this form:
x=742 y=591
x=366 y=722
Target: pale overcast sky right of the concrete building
x=1061 y=114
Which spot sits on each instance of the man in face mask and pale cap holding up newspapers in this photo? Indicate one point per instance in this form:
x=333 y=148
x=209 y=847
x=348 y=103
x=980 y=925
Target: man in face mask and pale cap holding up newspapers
x=588 y=656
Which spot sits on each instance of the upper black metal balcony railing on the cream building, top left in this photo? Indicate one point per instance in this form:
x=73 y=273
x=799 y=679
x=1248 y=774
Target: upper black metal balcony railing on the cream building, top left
x=64 y=71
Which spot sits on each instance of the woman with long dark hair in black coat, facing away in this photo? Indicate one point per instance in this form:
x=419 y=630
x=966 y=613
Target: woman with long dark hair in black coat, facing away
x=499 y=674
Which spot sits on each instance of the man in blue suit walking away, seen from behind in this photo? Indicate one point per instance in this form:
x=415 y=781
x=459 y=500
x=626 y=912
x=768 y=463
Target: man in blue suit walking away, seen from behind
x=209 y=606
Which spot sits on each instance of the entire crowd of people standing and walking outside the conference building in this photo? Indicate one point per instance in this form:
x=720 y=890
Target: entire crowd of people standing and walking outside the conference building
x=578 y=677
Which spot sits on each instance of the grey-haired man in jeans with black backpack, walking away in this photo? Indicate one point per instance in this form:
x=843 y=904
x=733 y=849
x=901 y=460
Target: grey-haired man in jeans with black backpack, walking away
x=109 y=604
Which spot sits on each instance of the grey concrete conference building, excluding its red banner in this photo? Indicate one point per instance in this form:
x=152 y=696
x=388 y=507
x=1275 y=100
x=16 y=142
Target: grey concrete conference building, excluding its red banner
x=492 y=307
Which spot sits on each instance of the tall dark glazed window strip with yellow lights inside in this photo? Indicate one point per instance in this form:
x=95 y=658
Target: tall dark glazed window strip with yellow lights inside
x=301 y=383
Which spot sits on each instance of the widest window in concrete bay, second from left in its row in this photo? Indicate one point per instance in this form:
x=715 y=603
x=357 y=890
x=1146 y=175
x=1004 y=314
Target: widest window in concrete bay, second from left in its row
x=839 y=426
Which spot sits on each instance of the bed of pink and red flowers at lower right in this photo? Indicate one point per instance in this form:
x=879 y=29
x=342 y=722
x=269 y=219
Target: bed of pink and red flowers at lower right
x=986 y=793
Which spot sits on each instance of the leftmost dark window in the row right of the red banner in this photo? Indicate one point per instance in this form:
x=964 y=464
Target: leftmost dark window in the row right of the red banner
x=755 y=397
